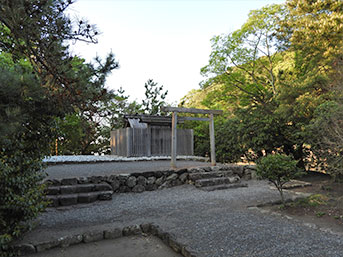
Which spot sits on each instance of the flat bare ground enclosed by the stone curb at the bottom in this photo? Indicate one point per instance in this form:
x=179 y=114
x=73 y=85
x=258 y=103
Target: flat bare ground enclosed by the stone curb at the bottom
x=134 y=246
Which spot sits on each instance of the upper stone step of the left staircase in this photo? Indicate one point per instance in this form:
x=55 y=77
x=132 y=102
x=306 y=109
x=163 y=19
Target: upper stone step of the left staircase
x=77 y=188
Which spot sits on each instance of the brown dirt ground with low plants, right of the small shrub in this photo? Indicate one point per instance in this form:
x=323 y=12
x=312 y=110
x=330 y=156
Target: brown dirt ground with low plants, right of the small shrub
x=324 y=208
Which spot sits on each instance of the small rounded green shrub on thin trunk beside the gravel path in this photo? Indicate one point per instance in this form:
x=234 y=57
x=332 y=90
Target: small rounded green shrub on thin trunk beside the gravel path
x=278 y=169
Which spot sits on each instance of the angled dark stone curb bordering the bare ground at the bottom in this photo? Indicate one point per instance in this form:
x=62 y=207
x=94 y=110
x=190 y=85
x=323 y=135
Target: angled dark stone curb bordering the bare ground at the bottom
x=97 y=235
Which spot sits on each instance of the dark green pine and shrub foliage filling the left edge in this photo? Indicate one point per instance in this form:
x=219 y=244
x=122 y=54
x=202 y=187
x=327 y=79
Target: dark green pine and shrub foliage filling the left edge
x=41 y=82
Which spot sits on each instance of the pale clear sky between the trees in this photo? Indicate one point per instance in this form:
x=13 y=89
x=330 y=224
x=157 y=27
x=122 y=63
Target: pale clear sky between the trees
x=164 y=40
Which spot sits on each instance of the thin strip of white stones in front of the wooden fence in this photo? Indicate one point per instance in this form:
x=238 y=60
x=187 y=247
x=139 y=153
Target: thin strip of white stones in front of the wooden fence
x=112 y=158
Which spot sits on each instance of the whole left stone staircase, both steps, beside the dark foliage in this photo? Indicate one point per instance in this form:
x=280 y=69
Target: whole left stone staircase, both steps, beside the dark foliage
x=71 y=193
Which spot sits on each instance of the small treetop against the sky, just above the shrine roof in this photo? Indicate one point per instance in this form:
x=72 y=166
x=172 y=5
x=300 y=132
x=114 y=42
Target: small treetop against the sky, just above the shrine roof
x=154 y=97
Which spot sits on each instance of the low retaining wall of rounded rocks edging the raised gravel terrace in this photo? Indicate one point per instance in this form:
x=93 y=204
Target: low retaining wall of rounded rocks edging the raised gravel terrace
x=152 y=180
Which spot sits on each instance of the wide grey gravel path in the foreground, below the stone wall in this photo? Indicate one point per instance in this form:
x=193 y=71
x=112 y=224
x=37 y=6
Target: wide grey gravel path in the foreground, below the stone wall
x=214 y=223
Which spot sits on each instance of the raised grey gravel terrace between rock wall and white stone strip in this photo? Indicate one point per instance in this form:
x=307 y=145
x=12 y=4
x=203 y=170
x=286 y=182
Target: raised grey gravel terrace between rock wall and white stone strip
x=109 y=168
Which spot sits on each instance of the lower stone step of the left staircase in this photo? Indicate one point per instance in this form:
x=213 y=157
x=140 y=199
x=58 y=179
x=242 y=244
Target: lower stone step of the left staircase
x=72 y=199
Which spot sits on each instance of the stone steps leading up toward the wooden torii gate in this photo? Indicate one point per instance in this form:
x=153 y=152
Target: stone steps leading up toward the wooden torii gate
x=217 y=178
